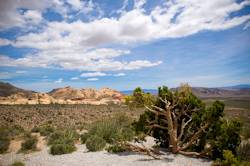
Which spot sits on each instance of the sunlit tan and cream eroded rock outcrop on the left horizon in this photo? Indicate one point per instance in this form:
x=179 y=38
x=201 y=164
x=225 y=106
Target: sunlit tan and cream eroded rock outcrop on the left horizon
x=67 y=95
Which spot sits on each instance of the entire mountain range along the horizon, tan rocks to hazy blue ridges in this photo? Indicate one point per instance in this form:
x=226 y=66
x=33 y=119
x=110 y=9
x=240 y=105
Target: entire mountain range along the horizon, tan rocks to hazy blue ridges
x=10 y=94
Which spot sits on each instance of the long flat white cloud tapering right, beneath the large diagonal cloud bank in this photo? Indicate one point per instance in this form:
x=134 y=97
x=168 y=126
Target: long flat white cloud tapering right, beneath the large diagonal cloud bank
x=95 y=60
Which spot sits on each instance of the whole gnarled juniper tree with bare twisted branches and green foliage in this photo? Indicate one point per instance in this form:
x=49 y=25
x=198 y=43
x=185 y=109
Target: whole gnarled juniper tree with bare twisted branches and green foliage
x=181 y=122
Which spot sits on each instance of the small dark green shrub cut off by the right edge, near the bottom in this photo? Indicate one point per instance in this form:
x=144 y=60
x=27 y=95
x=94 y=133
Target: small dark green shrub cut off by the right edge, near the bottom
x=243 y=151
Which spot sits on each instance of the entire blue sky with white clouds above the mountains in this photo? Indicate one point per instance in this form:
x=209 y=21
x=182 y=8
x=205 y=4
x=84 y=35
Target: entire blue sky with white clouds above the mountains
x=122 y=44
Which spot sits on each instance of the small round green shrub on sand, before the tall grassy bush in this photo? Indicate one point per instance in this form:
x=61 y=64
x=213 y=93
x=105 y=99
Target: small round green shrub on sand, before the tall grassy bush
x=95 y=143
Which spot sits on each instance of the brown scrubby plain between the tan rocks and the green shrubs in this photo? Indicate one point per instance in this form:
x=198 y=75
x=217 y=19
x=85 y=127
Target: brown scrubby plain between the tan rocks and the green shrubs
x=72 y=116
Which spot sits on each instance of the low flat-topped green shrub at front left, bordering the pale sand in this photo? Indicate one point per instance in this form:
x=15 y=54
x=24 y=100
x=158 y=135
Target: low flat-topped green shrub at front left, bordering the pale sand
x=57 y=149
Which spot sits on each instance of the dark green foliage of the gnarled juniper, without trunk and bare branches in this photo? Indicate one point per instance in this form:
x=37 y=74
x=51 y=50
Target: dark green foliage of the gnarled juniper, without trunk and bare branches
x=220 y=134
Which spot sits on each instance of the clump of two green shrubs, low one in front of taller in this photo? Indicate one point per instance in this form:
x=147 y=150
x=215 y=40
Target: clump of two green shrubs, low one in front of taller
x=62 y=142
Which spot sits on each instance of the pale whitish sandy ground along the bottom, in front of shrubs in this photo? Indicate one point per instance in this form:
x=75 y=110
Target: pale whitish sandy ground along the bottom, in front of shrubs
x=82 y=157
